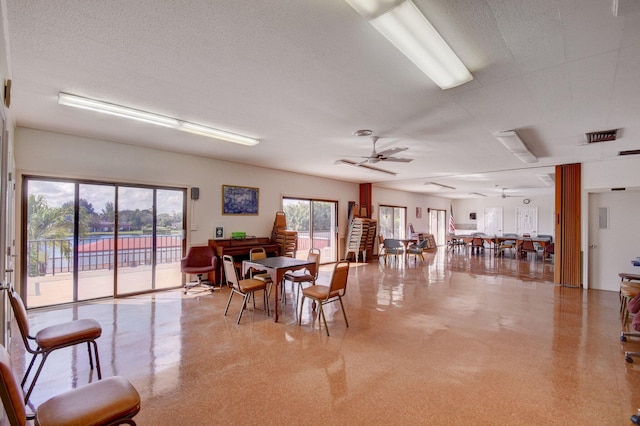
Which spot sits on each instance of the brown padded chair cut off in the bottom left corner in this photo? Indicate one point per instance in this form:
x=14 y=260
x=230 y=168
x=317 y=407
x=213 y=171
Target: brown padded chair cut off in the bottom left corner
x=111 y=401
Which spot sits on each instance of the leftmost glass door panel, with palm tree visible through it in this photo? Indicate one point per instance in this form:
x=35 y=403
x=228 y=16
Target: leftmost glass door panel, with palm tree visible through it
x=49 y=243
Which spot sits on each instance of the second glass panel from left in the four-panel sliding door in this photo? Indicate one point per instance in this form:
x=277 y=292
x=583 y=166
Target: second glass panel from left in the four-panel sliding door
x=96 y=243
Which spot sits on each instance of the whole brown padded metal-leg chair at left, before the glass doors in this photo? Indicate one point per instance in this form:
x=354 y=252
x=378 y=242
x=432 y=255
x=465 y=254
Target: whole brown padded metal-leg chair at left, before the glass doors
x=54 y=337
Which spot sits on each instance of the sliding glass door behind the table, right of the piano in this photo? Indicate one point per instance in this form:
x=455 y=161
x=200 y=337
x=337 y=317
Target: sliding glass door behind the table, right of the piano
x=316 y=224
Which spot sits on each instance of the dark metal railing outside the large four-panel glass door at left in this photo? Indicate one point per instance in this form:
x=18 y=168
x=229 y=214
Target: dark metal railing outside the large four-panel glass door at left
x=54 y=256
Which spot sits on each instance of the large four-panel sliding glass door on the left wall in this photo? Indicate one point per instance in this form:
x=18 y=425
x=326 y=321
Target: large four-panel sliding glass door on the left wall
x=86 y=240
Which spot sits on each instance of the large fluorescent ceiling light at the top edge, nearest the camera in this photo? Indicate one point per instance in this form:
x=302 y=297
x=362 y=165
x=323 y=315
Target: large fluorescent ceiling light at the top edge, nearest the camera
x=405 y=27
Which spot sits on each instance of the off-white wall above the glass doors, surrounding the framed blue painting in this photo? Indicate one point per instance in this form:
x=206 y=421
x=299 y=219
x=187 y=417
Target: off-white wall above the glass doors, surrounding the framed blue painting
x=54 y=154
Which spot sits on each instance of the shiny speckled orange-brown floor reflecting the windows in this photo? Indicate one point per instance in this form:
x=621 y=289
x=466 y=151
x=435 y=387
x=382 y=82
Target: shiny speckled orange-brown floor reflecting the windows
x=450 y=341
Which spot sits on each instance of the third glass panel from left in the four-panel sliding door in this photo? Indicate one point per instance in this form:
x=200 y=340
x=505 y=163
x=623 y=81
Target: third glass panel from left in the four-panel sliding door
x=135 y=240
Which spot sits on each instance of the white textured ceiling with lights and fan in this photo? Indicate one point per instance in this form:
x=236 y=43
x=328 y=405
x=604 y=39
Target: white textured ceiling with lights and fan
x=303 y=75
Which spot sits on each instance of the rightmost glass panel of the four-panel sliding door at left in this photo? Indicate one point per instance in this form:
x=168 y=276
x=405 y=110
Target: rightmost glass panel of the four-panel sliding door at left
x=169 y=237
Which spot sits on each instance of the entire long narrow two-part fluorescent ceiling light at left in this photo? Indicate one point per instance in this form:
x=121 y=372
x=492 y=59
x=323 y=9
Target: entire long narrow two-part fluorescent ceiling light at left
x=151 y=118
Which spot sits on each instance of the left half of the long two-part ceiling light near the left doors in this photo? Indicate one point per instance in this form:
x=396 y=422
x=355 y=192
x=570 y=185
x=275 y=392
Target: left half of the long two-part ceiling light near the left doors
x=117 y=110
